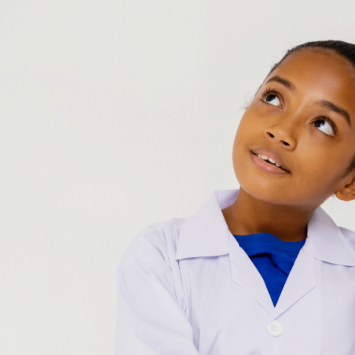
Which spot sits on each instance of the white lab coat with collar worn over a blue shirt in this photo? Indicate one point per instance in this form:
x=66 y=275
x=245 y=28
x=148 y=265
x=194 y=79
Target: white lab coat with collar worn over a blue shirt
x=185 y=287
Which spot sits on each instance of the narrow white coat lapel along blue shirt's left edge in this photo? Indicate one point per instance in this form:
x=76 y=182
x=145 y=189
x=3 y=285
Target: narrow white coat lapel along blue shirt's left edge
x=245 y=274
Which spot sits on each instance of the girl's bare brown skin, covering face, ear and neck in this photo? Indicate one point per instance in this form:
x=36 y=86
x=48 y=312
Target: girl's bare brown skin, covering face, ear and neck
x=291 y=123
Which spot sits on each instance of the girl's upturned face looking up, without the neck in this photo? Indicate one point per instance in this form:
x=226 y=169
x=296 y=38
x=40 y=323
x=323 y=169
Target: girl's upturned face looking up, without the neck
x=290 y=122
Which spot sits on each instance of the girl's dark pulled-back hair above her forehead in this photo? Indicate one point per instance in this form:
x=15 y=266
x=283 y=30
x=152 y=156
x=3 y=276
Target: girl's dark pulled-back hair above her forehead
x=345 y=49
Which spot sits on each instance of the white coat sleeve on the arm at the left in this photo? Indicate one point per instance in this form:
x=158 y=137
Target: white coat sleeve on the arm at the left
x=150 y=318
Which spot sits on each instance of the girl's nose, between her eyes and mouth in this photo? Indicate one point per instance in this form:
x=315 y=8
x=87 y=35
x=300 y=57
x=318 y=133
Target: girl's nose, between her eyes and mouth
x=281 y=134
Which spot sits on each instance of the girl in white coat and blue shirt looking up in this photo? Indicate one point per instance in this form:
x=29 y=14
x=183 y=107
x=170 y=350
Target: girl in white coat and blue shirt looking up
x=263 y=269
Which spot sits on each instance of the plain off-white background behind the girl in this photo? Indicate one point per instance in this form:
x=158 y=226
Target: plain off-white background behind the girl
x=115 y=115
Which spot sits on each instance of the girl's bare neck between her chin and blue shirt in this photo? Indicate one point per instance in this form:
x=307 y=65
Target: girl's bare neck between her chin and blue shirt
x=248 y=215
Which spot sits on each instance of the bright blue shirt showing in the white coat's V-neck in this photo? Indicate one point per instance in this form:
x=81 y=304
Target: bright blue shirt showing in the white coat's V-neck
x=273 y=257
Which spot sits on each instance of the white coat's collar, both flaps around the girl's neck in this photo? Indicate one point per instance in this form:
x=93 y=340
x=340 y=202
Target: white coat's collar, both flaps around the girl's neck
x=206 y=233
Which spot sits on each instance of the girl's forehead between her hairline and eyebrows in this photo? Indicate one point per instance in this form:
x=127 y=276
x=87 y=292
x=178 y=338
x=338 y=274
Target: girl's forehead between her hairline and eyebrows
x=320 y=72
